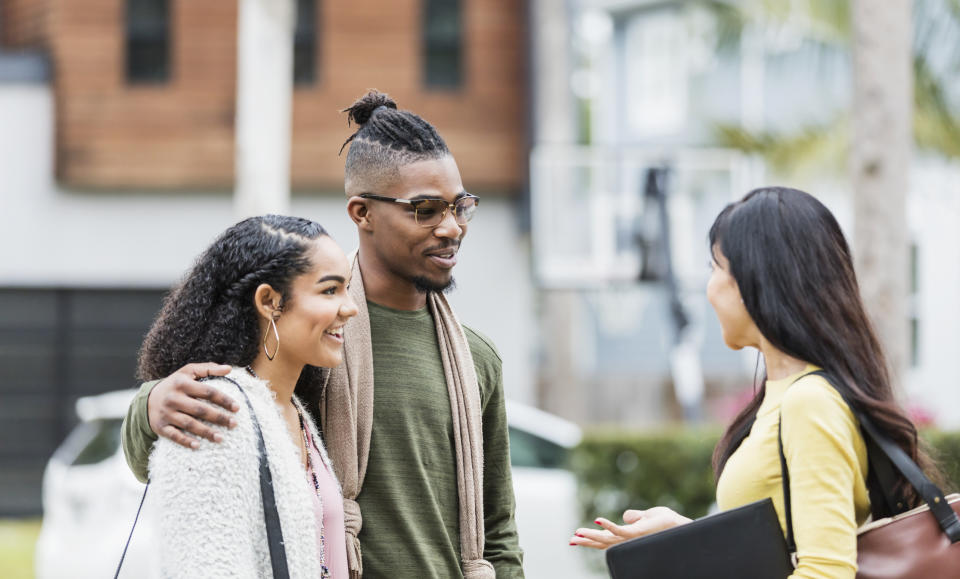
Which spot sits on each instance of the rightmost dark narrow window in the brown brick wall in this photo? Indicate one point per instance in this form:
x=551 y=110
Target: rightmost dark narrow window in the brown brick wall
x=443 y=44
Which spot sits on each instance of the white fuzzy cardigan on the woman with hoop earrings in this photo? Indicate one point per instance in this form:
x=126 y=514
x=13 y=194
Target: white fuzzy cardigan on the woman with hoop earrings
x=210 y=521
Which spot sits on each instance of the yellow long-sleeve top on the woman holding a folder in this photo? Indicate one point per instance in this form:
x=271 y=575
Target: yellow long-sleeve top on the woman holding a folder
x=827 y=461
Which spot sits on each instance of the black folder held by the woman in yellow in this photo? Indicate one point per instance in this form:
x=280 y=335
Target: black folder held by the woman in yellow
x=742 y=543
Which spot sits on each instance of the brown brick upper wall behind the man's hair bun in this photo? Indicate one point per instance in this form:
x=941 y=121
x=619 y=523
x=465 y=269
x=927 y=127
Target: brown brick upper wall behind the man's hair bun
x=180 y=134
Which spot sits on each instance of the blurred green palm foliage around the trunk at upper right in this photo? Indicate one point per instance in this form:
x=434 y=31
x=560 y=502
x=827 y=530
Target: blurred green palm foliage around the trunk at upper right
x=826 y=24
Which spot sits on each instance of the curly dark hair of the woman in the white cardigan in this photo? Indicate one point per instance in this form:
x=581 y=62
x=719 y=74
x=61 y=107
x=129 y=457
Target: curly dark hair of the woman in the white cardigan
x=210 y=315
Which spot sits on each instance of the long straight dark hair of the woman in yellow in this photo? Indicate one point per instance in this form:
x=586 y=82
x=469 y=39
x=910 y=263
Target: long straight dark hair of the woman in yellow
x=795 y=273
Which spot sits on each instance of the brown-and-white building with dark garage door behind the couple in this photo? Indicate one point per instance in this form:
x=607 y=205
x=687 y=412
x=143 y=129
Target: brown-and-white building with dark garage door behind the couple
x=117 y=167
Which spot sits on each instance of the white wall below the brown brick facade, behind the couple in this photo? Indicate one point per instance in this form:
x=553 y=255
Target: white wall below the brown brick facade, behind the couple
x=53 y=237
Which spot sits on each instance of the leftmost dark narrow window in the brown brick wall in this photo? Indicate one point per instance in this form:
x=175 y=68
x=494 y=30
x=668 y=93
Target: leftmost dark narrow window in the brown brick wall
x=148 y=41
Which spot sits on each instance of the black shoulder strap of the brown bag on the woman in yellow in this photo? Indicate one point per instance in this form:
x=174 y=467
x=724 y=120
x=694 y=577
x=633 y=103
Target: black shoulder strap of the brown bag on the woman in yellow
x=877 y=440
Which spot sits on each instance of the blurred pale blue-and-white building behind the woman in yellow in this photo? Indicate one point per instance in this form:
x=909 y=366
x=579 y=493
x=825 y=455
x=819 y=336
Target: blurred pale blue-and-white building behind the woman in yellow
x=645 y=83
